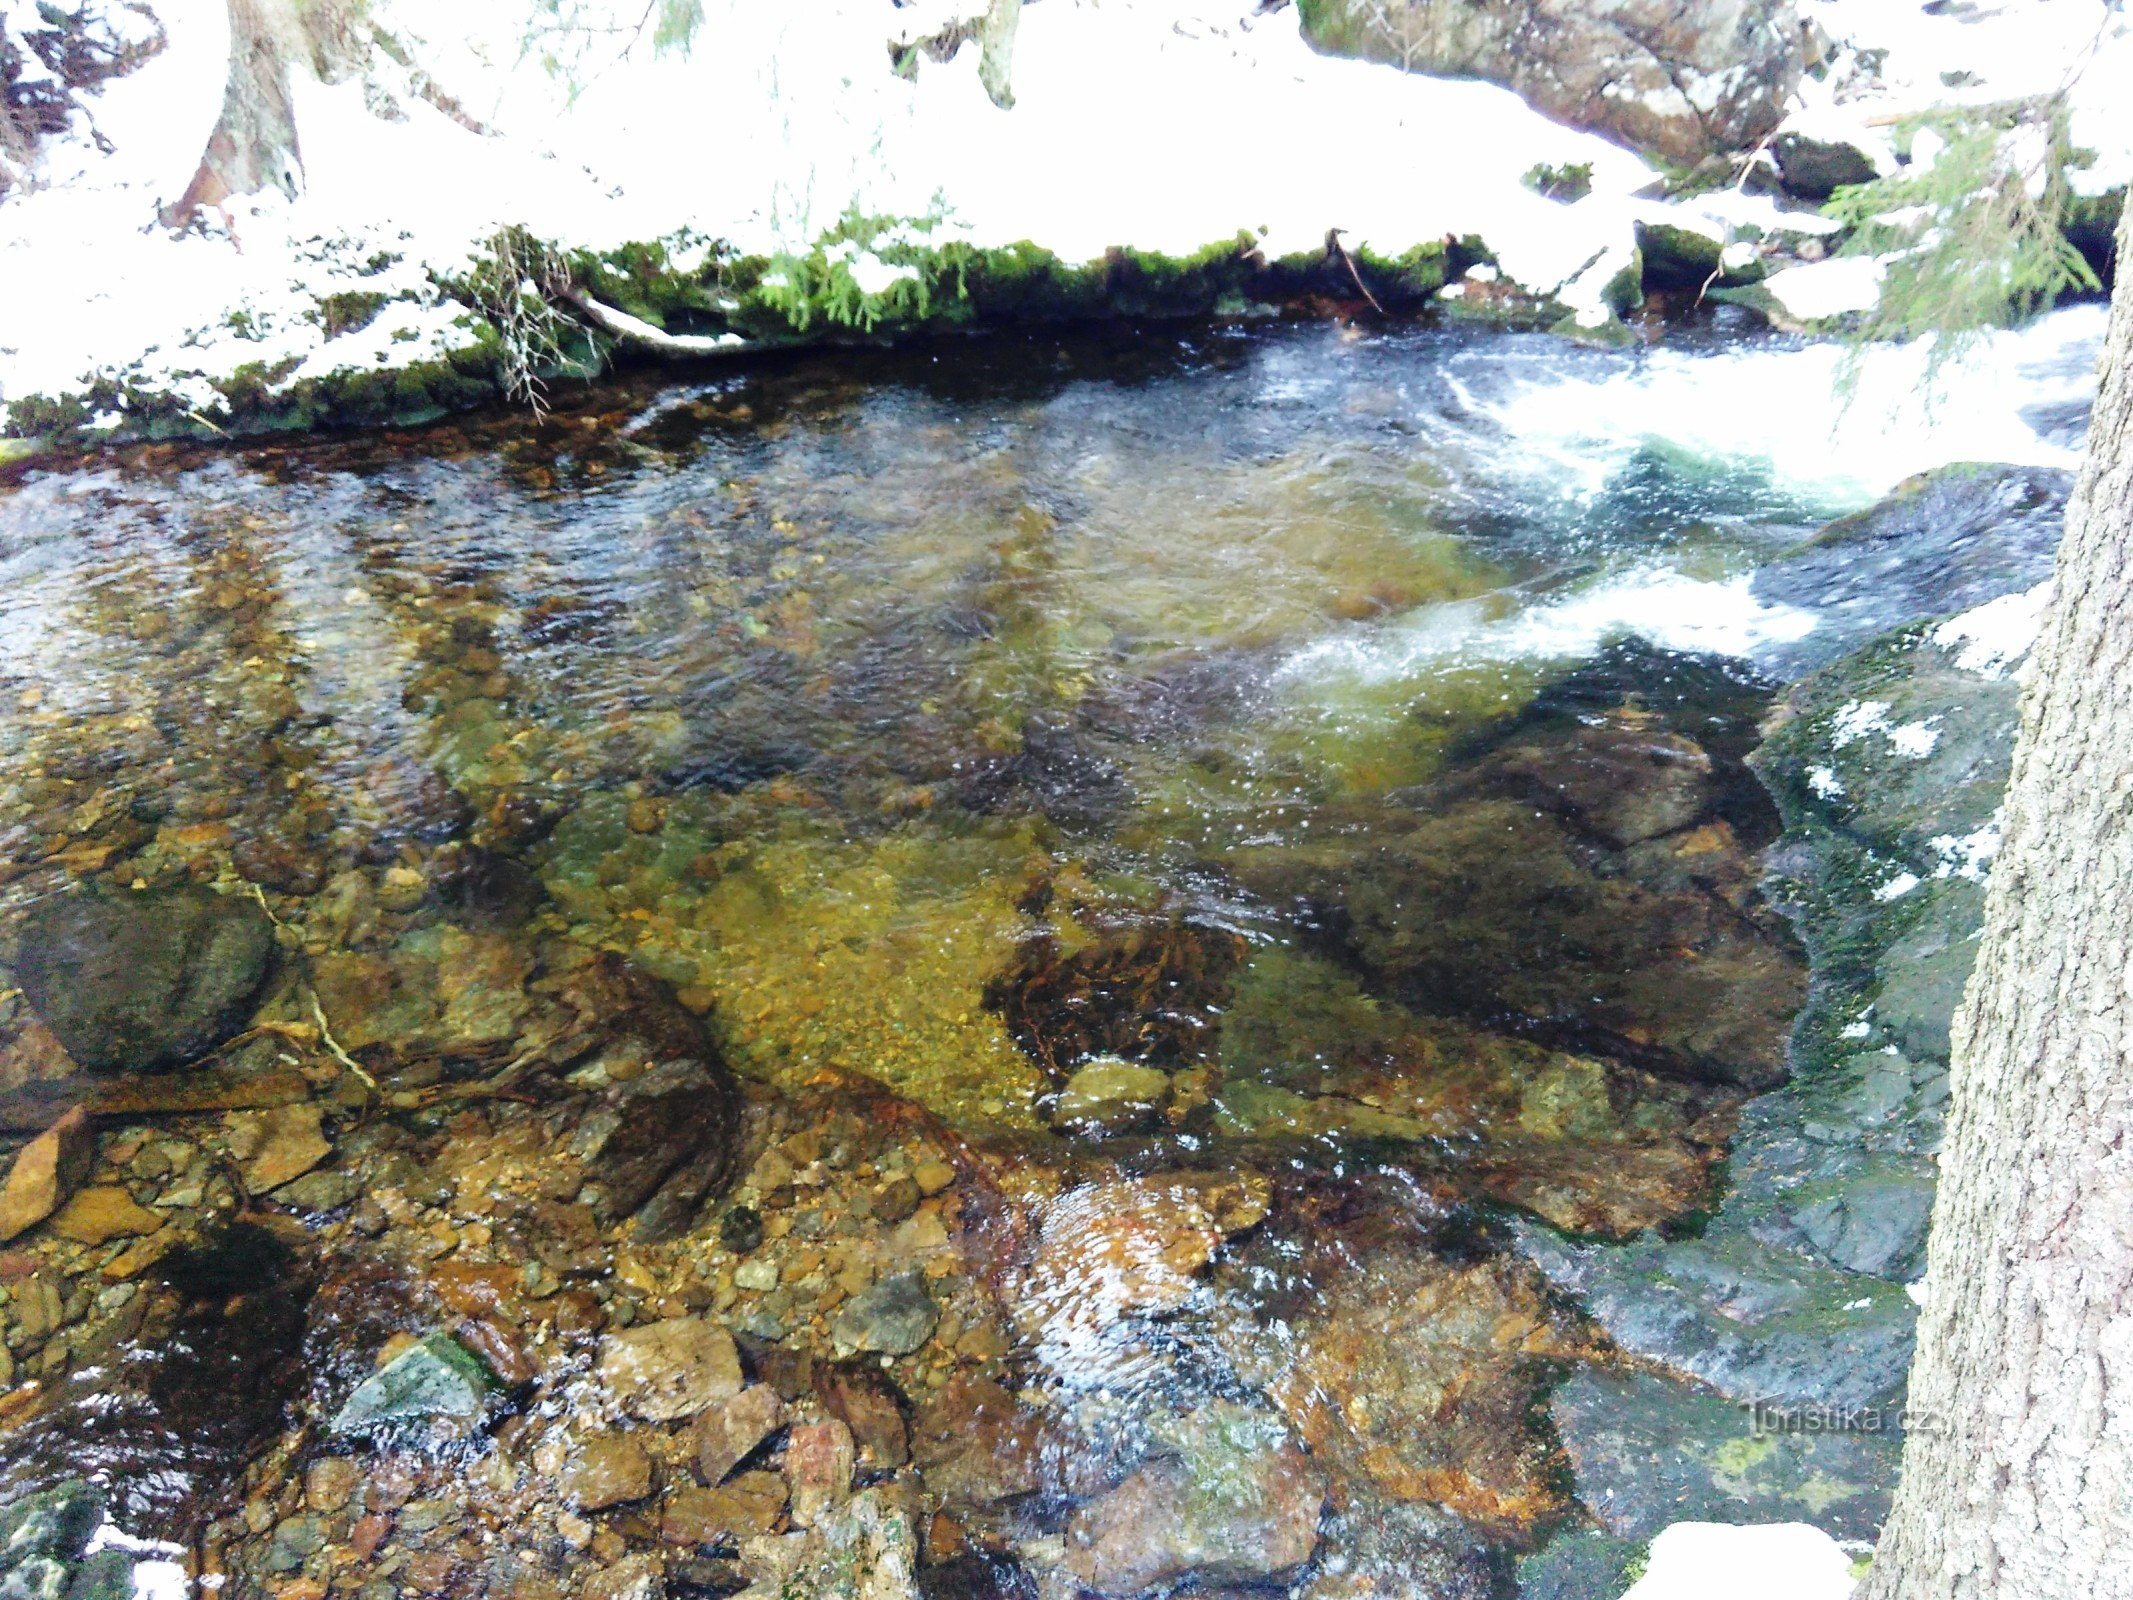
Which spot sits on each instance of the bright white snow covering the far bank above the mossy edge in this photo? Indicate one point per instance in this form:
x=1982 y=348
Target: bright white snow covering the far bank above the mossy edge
x=1161 y=125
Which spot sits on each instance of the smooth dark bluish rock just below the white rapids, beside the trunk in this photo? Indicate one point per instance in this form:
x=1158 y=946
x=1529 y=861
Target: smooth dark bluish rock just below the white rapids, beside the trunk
x=1940 y=543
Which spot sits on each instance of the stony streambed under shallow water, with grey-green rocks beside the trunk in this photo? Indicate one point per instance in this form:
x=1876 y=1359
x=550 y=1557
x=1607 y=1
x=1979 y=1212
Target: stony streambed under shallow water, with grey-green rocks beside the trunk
x=1036 y=982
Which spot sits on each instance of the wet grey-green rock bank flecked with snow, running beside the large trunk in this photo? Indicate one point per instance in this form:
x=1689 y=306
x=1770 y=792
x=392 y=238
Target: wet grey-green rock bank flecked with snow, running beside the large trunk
x=1789 y=1315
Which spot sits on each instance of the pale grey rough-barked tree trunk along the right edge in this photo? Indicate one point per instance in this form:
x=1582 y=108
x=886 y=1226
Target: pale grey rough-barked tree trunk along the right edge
x=2019 y=1467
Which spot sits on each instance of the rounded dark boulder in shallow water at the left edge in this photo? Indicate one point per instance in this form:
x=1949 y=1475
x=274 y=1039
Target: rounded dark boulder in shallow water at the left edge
x=133 y=980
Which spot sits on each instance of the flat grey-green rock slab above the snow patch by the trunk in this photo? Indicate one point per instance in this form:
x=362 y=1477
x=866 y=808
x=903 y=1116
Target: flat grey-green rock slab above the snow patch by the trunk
x=1650 y=1454
